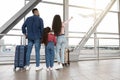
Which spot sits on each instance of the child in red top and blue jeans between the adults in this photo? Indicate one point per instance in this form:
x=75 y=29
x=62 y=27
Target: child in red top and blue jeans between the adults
x=49 y=40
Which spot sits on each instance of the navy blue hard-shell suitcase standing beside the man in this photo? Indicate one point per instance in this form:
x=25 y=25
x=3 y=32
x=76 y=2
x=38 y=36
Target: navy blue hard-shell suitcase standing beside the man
x=20 y=56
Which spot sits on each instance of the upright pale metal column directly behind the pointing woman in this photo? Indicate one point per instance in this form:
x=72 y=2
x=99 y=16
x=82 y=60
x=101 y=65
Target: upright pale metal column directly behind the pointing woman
x=65 y=16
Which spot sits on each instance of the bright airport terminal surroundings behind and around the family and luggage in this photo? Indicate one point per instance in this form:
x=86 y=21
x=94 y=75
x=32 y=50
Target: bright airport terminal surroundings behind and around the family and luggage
x=93 y=38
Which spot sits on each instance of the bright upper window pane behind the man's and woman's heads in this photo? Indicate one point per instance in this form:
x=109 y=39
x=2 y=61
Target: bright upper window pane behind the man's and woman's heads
x=47 y=13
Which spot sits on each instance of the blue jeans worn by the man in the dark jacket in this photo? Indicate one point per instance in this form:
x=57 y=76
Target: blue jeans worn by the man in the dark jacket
x=37 y=51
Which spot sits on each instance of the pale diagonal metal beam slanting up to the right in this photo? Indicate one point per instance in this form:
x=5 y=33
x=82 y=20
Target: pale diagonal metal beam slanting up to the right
x=94 y=27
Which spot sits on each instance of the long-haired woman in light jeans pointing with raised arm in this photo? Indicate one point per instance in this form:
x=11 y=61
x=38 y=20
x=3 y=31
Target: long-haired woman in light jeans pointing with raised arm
x=59 y=29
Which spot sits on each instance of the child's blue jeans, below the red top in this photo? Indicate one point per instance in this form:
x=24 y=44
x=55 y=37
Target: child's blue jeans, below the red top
x=49 y=54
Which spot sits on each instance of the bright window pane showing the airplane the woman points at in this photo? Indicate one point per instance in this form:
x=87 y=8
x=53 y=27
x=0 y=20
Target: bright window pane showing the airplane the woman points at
x=83 y=19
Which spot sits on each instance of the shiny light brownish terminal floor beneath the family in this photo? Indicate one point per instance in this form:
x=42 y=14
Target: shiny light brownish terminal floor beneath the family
x=82 y=70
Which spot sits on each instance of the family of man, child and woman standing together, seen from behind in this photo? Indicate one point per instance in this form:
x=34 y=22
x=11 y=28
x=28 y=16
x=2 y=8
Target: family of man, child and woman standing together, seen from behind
x=33 y=29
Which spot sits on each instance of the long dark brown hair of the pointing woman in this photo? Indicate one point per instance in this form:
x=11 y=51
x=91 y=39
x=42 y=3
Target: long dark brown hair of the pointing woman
x=57 y=25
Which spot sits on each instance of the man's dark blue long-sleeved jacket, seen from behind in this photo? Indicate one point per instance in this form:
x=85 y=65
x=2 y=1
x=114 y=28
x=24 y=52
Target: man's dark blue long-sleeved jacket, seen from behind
x=33 y=27
